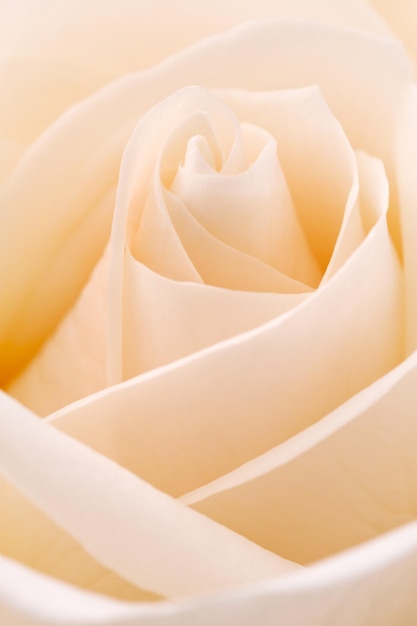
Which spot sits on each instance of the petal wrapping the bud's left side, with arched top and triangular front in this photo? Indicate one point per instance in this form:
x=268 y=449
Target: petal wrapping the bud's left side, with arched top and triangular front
x=163 y=320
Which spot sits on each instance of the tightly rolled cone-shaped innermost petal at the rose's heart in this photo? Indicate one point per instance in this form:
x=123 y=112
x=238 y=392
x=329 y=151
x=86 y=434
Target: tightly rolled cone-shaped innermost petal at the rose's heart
x=252 y=210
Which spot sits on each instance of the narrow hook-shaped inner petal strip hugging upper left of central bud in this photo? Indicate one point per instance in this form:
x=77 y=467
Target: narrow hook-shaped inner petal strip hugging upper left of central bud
x=153 y=240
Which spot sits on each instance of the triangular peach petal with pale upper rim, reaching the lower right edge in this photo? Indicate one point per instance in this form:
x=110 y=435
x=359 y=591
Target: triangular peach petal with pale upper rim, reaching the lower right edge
x=345 y=480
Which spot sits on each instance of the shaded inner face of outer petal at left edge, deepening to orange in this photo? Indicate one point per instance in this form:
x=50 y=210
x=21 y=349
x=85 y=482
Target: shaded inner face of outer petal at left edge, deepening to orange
x=65 y=199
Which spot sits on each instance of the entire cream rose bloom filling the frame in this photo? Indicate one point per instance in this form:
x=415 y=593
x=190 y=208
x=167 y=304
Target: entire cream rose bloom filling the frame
x=253 y=416
